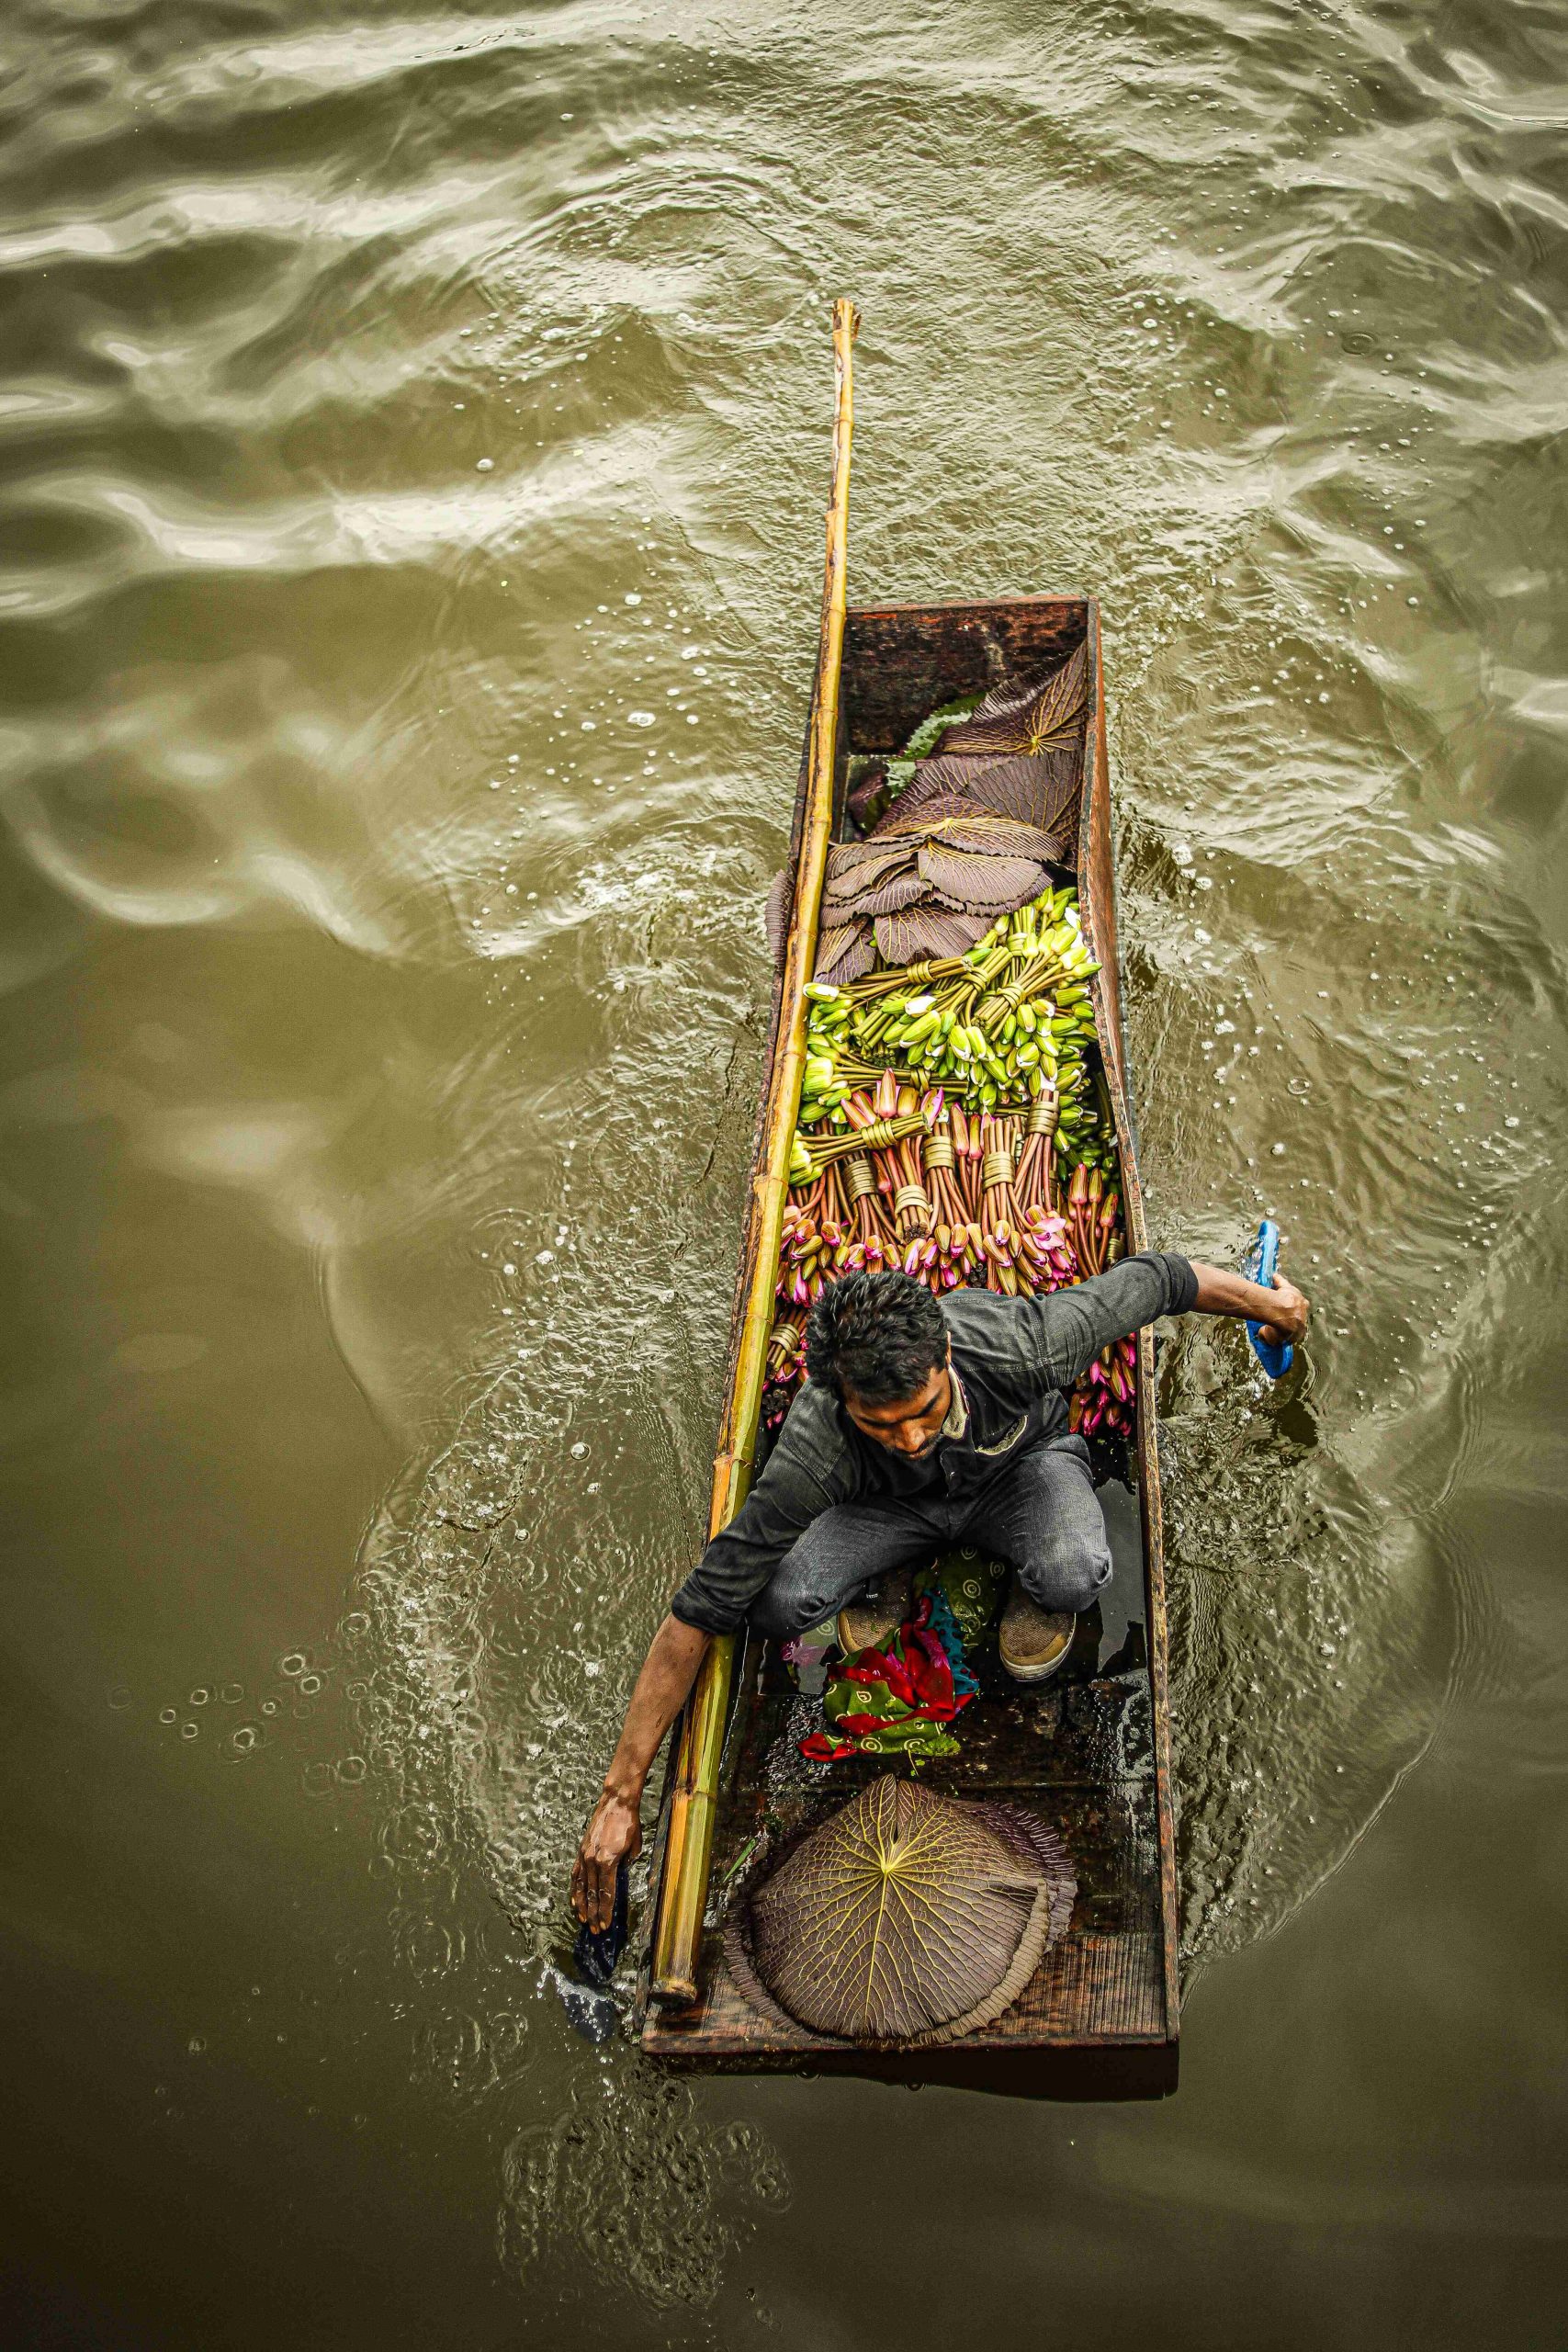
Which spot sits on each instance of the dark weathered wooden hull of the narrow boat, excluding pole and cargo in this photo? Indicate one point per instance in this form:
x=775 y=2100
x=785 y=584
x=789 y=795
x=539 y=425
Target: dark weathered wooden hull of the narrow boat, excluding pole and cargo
x=1090 y=1751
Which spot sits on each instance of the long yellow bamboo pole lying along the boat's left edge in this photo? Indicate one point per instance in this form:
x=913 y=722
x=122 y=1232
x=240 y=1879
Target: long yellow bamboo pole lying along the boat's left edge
x=683 y=1890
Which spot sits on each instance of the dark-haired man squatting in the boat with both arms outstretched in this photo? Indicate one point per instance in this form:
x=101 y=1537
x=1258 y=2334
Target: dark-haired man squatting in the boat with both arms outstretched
x=923 y=1424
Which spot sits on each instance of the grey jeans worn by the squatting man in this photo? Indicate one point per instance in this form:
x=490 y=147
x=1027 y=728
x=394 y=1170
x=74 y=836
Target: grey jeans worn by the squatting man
x=1043 y=1516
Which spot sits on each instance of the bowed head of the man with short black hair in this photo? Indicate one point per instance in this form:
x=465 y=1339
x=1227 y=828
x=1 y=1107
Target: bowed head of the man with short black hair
x=880 y=1344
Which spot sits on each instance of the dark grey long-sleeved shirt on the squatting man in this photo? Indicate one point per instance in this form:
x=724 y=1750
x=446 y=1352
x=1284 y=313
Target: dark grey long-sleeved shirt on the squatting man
x=1017 y=1363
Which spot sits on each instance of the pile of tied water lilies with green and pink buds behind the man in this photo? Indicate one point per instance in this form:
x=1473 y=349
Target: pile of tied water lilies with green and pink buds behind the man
x=951 y=1125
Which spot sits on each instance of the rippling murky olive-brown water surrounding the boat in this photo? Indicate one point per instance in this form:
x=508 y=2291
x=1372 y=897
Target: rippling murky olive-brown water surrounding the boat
x=413 y=439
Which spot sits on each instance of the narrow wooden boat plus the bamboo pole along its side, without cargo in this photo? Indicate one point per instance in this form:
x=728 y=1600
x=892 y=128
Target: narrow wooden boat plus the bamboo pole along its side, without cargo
x=1090 y=1751
